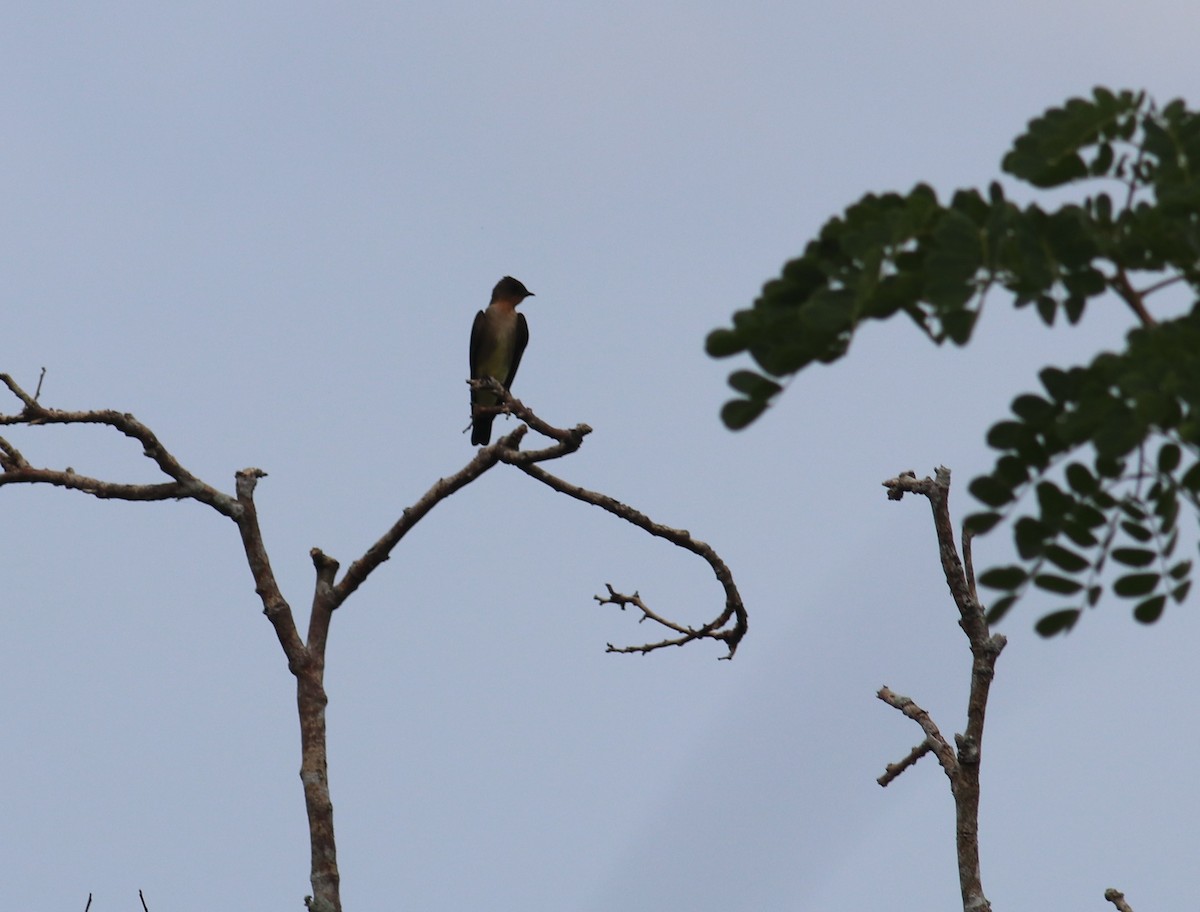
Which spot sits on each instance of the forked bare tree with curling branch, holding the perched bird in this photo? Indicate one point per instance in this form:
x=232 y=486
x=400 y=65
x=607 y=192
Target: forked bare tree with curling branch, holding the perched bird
x=307 y=657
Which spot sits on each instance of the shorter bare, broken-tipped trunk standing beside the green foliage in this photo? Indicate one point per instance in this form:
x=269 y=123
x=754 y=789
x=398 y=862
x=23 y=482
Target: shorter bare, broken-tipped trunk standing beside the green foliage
x=961 y=763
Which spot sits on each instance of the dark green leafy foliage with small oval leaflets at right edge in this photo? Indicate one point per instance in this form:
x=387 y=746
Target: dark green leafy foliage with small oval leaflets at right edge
x=1095 y=469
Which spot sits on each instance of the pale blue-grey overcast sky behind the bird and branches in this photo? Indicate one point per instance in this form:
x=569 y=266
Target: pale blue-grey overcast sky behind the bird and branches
x=265 y=230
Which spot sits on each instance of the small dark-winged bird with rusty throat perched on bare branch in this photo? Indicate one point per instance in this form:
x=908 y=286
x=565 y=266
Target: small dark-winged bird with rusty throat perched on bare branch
x=497 y=341
